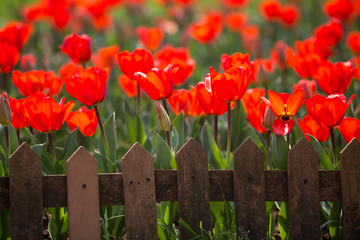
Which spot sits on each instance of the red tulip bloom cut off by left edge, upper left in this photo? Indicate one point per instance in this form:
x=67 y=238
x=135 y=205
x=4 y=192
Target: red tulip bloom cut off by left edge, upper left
x=9 y=56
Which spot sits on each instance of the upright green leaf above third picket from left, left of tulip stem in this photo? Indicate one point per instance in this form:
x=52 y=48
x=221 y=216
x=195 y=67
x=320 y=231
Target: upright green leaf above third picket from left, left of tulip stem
x=134 y=125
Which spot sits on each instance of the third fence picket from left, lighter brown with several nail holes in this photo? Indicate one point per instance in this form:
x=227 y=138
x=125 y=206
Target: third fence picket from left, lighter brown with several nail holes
x=139 y=194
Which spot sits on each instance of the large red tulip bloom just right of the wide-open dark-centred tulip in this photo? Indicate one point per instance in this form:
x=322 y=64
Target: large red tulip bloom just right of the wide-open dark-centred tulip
x=328 y=111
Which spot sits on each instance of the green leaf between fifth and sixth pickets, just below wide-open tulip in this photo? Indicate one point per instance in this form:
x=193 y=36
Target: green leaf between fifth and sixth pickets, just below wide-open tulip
x=280 y=150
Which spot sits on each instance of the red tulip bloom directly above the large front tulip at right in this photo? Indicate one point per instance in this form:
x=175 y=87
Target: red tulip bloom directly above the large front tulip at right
x=334 y=78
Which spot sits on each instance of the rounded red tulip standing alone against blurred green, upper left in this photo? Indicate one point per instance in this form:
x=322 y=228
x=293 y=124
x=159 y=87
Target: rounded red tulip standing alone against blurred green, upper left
x=78 y=48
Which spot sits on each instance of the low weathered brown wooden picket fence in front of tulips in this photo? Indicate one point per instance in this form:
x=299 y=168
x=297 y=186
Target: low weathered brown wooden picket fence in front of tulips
x=26 y=192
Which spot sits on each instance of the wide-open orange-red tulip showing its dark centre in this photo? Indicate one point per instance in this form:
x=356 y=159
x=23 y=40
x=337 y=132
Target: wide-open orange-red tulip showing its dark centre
x=284 y=106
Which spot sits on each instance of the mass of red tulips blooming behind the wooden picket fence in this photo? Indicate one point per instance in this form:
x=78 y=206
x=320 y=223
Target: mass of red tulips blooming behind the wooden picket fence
x=240 y=84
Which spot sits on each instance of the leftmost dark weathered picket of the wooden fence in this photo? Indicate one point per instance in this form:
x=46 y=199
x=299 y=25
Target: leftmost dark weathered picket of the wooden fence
x=25 y=194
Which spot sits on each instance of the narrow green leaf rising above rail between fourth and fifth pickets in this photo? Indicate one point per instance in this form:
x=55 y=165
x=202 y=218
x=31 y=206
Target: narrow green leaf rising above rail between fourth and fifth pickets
x=215 y=158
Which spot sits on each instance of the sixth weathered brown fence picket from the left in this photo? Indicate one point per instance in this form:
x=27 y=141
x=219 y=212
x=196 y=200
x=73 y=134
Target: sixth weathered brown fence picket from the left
x=303 y=182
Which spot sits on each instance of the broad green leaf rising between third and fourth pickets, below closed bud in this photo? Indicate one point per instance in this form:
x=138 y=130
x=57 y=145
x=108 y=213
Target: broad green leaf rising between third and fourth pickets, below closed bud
x=164 y=155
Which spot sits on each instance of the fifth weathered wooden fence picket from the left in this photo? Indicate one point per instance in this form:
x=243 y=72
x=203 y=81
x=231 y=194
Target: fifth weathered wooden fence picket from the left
x=249 y=190
